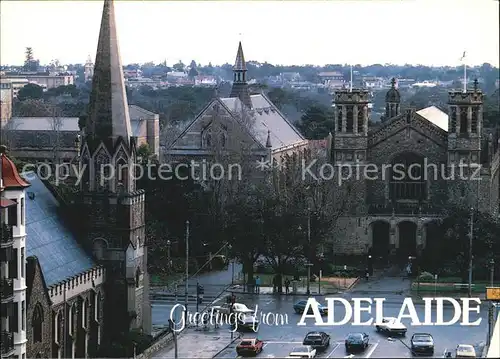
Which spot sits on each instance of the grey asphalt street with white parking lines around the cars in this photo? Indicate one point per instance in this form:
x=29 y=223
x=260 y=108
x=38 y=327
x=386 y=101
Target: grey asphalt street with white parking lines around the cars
x=281 y=339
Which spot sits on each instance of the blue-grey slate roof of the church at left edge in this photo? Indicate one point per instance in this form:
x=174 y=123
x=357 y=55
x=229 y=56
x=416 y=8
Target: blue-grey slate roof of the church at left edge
x=48 y=238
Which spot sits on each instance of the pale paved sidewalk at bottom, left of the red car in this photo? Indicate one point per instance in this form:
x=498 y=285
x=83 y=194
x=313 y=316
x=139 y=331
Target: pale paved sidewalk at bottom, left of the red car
x=196 y=343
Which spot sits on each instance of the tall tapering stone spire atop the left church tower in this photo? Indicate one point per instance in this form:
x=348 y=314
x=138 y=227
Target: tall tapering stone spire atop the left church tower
x=108 y=107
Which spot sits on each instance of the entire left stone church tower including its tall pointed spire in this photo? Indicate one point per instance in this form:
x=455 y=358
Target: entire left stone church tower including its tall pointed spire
x=112 y=208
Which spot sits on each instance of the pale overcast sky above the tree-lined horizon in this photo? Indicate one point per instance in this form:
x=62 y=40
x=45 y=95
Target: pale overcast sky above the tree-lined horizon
x=430 y=32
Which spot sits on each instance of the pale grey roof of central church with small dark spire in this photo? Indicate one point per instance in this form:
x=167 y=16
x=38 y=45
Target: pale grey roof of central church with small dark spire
x=268 y=119
